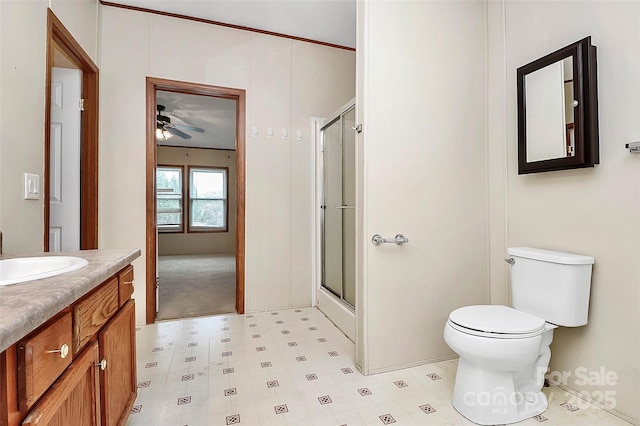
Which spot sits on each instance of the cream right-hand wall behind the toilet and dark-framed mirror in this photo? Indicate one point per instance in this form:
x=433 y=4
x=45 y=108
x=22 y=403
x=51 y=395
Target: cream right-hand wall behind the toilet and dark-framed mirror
x=591 y=211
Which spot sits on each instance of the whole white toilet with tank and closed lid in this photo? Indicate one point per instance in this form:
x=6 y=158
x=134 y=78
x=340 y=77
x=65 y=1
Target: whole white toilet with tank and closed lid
x=504 y=351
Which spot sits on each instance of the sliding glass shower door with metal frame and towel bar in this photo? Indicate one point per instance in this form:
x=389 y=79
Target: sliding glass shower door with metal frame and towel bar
x=338 y=207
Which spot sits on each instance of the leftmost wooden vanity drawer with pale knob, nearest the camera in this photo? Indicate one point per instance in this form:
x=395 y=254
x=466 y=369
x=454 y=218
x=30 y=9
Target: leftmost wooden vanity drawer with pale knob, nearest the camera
x=42 y=357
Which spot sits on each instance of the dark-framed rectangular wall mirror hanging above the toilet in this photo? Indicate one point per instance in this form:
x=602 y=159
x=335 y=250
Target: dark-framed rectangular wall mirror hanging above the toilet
x=558 y=110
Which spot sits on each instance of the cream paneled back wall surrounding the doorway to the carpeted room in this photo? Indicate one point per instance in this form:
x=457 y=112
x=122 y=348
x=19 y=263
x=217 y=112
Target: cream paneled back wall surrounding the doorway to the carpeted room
x=287 y=83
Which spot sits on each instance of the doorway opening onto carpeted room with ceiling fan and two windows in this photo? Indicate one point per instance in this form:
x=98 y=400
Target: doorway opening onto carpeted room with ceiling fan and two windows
x=196 y=210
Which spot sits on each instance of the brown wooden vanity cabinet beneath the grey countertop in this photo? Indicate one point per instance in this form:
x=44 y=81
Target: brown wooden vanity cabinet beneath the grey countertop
x=79 y=368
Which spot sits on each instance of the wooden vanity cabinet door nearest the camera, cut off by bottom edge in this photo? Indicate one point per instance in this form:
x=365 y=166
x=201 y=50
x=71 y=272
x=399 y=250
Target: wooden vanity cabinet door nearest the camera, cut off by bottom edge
x=74 y=399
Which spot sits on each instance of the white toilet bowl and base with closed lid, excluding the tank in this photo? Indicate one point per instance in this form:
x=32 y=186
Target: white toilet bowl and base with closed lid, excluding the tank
x=504 y=354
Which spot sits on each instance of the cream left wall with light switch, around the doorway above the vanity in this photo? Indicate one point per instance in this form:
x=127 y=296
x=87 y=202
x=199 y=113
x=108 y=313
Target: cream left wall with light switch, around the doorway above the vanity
x=23 y=26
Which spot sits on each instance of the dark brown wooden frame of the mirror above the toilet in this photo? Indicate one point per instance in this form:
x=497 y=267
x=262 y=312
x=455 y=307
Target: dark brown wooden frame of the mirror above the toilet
x=585 y=113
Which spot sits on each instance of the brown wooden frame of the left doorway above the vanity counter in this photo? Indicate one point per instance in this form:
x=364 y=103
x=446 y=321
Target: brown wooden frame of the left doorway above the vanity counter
x=58 y=34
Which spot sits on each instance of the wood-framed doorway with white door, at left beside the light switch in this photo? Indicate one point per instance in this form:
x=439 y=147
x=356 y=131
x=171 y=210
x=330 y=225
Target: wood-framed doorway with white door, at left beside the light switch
x=71 y=220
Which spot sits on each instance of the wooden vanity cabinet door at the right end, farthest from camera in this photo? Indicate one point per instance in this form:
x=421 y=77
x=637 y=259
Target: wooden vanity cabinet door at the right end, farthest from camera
x=118 y=379
